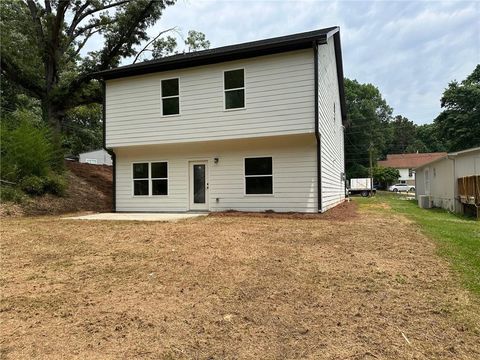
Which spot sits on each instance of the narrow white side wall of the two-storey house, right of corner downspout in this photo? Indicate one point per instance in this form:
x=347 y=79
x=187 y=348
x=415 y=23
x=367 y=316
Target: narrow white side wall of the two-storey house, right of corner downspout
x=331 y=128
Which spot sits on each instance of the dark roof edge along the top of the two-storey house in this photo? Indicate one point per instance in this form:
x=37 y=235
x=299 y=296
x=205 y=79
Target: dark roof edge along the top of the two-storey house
x=226 y=53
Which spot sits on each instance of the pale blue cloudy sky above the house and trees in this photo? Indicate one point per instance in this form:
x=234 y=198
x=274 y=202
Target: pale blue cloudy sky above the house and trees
x=410 y=50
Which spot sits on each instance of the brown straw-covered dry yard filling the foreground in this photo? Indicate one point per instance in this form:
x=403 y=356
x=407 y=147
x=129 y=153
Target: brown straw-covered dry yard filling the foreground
x=231 y=287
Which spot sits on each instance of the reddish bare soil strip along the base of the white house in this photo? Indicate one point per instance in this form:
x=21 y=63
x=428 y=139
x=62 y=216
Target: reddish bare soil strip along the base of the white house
x=344 y=212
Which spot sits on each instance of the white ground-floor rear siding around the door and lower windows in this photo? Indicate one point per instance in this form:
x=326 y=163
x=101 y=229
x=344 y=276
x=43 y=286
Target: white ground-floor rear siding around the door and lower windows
x=294 y=169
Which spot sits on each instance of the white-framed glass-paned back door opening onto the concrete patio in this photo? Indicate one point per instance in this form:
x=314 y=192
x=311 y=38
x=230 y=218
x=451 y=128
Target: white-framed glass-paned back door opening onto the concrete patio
x=198 y=174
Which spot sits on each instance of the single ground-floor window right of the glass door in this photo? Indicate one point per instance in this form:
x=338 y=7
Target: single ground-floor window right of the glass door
x=259 y=176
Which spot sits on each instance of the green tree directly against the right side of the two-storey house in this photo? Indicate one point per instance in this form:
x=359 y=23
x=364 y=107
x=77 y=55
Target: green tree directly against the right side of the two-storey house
x=368 y=129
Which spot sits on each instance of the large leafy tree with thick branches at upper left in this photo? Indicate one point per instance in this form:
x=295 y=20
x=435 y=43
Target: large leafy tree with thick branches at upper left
x=42 y=46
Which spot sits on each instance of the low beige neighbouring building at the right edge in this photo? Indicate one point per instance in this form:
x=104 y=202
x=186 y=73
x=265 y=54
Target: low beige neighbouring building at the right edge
x=439 y=178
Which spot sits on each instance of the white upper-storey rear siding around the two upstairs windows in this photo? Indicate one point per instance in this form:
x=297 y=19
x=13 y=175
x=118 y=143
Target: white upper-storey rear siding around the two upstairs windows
x=278 y=96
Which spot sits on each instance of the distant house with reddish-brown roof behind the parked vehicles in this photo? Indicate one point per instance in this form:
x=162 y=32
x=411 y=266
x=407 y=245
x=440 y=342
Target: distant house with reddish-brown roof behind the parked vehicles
x=406 y=163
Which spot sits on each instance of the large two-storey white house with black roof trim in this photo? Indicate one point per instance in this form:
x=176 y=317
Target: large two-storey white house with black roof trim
x=255 y=126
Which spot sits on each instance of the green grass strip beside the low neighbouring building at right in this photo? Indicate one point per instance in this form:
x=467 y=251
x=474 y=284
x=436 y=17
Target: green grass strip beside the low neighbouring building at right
x=458 y=236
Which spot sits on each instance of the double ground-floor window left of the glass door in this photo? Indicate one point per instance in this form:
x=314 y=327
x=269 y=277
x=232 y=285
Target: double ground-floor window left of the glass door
x=150 y=178
